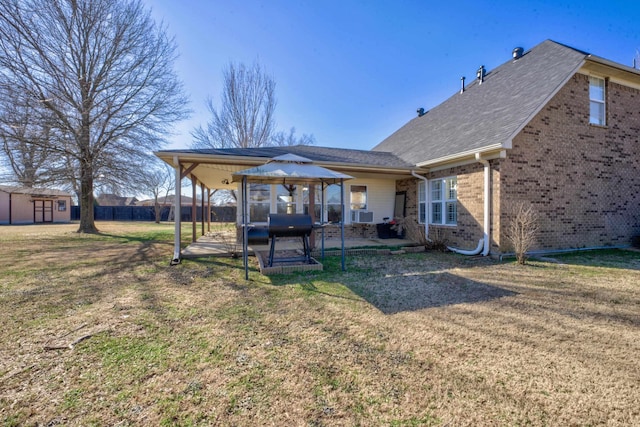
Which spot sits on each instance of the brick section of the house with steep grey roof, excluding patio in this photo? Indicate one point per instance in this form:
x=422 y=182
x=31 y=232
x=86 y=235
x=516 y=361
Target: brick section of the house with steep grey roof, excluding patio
x=559 y=128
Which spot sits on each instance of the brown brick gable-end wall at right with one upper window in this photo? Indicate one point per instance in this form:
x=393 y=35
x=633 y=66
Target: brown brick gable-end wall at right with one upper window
x=583 y=180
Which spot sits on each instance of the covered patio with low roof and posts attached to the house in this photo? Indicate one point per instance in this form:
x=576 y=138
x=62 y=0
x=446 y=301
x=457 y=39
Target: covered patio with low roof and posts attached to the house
x=374 y=184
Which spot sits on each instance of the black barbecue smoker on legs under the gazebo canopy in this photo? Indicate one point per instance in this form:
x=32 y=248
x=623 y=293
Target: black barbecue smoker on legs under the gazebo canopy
x=292 y=225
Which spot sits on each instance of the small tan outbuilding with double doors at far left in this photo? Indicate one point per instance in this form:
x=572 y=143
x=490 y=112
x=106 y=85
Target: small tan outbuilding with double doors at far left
x=23 y=205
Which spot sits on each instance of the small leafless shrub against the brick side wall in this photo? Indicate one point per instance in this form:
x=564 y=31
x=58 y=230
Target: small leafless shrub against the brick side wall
x=522 y=230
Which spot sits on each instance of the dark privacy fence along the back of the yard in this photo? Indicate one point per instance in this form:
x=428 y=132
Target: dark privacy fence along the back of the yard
x=147 y=213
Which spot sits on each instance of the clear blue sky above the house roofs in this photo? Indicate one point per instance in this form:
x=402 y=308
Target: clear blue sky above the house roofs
x=352 y=72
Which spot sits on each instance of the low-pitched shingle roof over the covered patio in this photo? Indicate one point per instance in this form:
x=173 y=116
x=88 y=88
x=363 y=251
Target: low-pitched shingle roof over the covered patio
x=312 y=152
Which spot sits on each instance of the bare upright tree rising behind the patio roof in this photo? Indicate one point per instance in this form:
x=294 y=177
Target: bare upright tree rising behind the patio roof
x=245 y=118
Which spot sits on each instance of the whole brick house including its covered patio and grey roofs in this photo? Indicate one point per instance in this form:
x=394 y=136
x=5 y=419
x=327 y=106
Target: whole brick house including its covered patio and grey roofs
x=553 y=127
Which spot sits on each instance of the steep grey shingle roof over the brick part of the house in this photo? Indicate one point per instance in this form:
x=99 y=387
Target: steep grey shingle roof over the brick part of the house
x=489 y=113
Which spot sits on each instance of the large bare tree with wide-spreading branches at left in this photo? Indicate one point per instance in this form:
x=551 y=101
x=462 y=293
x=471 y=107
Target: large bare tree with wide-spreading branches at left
x=103 y=71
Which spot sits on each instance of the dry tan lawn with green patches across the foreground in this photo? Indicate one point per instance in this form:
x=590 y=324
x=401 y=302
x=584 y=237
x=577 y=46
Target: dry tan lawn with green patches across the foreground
x=415 y=339
